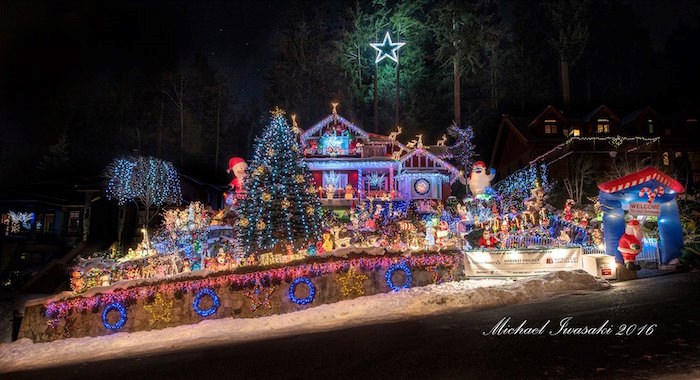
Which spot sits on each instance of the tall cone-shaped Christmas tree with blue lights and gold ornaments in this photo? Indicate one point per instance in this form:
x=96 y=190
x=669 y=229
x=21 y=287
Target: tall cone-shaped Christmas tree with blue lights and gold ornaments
x=281 y=203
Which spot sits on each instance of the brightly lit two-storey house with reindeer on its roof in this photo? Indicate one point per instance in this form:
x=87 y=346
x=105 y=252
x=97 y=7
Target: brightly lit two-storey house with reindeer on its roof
x=349 y=164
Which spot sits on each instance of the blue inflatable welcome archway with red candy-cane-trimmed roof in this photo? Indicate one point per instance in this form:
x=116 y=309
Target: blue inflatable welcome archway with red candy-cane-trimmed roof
x=646 y=192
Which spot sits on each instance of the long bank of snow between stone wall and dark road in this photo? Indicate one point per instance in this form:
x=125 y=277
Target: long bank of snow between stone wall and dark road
x=24 y=354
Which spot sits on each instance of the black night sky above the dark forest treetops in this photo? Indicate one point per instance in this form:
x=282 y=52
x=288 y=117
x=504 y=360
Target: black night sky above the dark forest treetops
x=53 y=50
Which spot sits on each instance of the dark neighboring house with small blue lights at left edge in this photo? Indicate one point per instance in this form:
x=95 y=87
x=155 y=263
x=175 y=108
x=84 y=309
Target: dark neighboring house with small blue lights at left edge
x=46 y=220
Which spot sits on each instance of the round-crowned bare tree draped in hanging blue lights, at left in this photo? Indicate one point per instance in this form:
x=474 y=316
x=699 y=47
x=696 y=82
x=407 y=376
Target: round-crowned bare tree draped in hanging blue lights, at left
x=145 y=181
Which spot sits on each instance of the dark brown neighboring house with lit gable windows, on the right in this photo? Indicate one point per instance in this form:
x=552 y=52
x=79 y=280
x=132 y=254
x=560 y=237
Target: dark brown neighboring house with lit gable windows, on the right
x=600 y=137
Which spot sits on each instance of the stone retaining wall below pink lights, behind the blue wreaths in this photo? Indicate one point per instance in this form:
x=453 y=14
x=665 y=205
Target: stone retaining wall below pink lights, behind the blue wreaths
x=175 y=308
